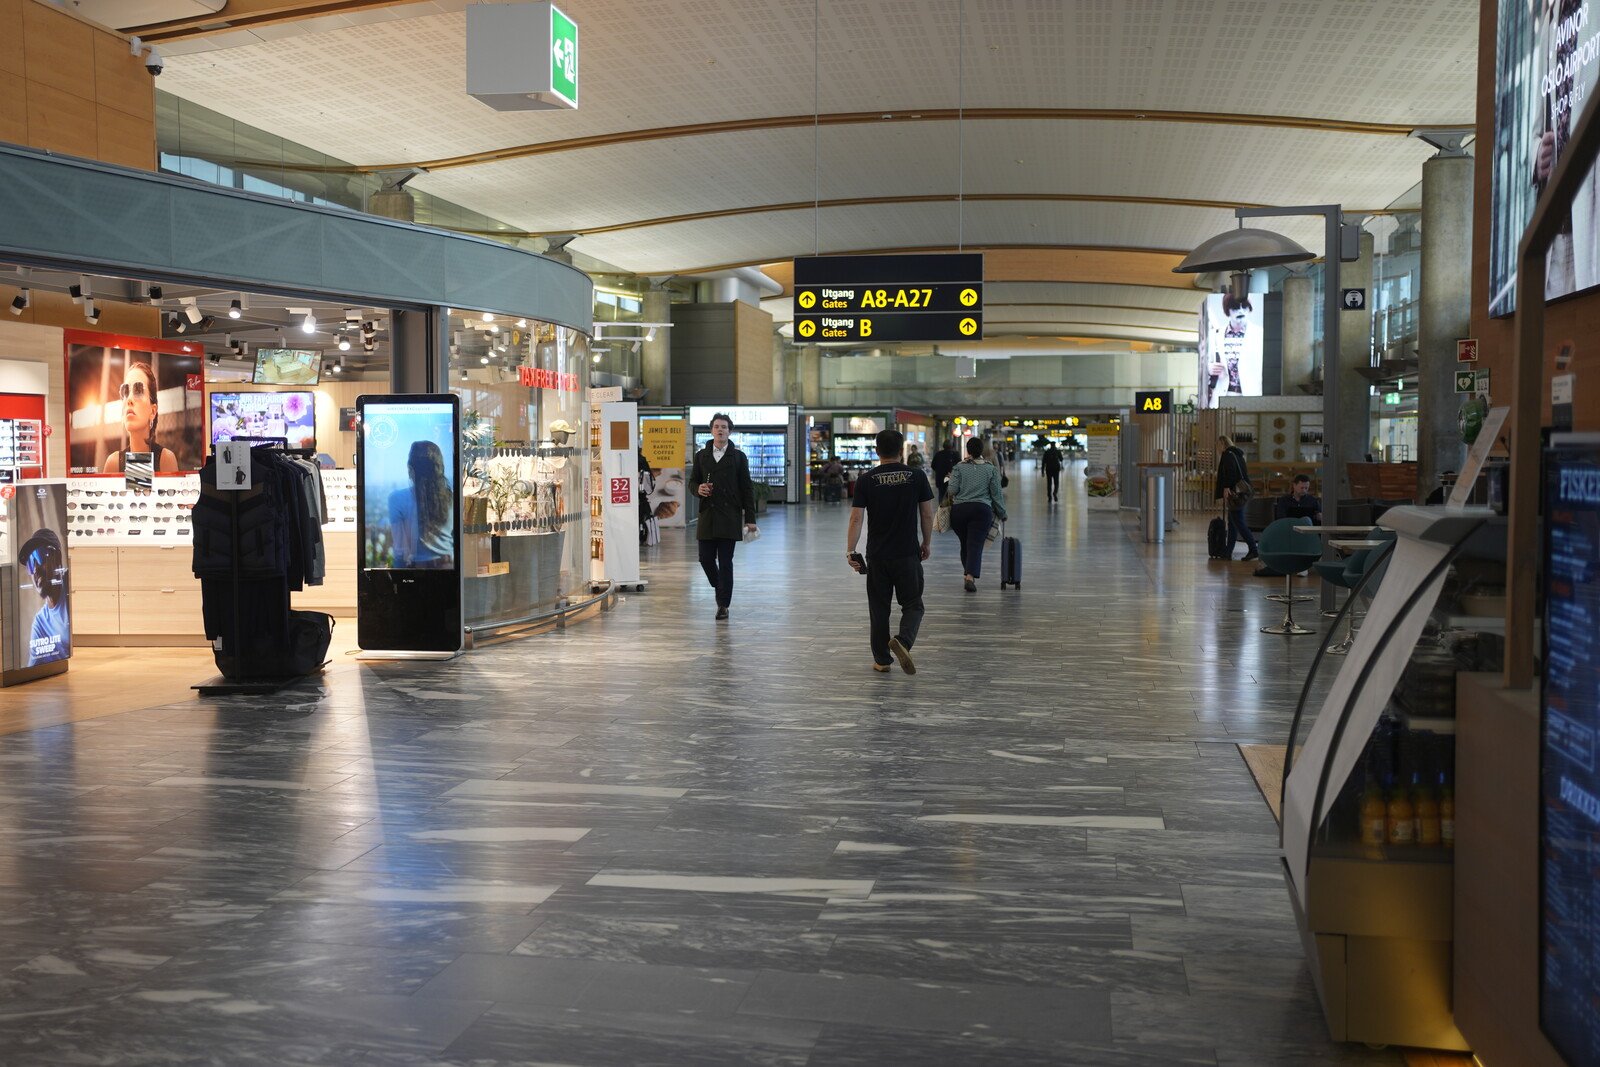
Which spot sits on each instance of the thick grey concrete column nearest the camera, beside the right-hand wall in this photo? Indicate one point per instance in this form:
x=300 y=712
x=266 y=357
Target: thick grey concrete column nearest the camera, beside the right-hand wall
x=1446 y=313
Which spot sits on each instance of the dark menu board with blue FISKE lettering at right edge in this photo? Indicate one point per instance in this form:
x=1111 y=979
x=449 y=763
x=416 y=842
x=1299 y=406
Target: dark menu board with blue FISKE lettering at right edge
x=1570 y=780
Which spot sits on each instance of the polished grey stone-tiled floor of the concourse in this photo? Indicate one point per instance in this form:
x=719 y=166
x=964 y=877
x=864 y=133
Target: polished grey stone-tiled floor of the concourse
x=655 y=839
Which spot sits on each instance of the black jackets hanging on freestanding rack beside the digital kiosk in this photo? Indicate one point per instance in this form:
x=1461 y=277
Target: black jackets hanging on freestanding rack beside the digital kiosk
x=252 y=548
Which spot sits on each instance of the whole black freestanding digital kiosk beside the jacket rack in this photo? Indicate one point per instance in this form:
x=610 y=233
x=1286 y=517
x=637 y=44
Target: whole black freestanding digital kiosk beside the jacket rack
x=409 y=508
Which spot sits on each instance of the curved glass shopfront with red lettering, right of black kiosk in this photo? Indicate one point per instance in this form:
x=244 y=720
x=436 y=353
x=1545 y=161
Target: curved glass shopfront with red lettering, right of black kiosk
x=524 y=390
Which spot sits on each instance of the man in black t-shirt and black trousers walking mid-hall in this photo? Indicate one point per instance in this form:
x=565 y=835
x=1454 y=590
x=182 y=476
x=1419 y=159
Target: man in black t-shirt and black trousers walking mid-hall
x=898 y=505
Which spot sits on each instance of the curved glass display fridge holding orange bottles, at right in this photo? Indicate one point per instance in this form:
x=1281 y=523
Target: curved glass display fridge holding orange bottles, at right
x=1369 y=794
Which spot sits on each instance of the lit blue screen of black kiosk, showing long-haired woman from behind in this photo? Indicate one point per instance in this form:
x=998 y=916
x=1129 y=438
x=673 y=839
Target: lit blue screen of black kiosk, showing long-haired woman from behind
x=407 y=471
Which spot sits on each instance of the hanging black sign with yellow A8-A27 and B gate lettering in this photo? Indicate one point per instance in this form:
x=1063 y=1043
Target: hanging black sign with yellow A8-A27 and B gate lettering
x=890 y=298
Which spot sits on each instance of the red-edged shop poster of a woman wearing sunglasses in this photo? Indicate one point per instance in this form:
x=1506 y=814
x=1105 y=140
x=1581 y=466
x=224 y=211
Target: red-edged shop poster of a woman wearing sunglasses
x=134 y=396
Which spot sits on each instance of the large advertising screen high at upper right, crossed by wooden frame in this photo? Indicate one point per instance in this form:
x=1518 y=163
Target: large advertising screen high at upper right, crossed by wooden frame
x=1548 y=58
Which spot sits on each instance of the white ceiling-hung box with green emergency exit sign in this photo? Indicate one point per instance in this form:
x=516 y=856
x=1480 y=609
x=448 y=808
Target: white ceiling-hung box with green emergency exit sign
x=522 y=57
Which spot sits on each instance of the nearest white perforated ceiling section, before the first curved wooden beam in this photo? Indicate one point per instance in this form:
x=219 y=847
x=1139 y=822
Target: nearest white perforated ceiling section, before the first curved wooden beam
x=394 y=90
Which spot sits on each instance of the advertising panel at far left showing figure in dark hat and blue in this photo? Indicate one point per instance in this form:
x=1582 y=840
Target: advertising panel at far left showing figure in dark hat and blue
x=44 y=633
